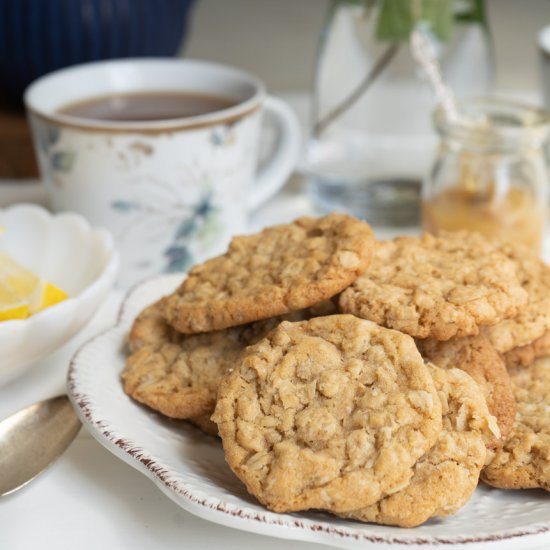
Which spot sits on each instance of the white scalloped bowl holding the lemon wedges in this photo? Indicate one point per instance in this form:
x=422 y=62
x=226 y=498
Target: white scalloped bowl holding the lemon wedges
x=67 y=251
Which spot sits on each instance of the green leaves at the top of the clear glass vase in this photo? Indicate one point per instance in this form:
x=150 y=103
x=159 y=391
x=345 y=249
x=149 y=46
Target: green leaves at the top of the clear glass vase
x=398 y=18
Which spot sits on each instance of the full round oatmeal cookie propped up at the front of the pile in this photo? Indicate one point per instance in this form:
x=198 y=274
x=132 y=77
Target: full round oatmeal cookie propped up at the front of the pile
x=330 y=413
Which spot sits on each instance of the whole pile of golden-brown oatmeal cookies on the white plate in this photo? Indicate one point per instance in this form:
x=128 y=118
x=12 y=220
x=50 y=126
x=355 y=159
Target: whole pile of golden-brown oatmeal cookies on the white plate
x=375 y=380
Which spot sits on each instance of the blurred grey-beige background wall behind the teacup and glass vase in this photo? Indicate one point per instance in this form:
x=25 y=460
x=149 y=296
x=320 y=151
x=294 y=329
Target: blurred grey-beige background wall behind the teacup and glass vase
x=276 y=39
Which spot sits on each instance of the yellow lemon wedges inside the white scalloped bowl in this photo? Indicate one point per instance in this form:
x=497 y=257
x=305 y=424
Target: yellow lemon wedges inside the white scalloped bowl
x=23 y=293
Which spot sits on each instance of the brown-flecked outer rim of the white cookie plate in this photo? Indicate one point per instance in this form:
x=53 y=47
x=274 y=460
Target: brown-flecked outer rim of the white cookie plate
x=282 y=526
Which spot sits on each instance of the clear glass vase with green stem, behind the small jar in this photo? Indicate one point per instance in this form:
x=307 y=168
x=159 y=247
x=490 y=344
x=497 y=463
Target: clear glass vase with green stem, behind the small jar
x=371 y=138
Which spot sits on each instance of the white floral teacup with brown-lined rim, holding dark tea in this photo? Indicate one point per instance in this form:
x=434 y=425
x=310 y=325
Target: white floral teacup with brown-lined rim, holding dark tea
x=171 y=191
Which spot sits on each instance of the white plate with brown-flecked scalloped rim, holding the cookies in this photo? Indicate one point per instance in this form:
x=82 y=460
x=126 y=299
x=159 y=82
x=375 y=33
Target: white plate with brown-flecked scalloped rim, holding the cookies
x=190 y=468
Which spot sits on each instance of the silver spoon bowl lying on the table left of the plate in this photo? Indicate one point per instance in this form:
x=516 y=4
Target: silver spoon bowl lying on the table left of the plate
x=33 y=438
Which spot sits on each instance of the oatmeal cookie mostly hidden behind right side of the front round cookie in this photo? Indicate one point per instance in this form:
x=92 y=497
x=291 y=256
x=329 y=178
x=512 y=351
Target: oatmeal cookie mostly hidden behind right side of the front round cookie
x=447 y=475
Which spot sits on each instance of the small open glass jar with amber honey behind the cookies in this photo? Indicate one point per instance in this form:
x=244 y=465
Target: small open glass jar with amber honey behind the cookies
x=490 y=173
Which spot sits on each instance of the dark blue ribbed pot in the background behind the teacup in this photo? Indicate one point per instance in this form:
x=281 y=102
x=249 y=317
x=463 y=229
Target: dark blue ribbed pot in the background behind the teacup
x=39 y=36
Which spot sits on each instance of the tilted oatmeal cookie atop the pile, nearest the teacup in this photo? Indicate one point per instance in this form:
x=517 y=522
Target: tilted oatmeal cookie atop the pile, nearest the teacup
x=281 y=269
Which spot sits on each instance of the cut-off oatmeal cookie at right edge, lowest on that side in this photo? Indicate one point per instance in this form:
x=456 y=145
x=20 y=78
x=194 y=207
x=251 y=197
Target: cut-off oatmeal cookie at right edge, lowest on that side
x=524 y=460
